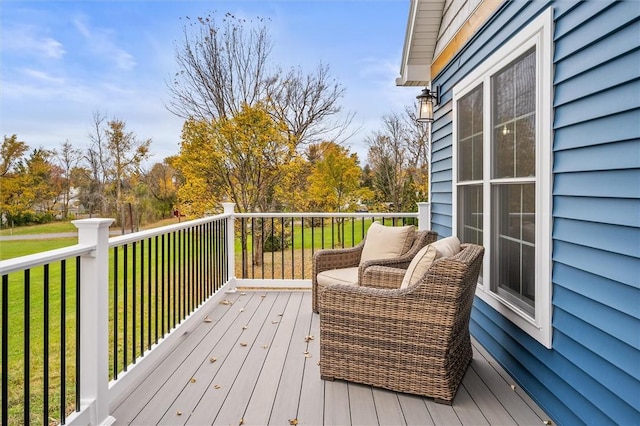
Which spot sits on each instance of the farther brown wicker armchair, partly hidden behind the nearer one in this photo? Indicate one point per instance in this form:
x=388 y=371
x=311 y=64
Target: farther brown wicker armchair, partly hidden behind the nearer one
x=324 y=260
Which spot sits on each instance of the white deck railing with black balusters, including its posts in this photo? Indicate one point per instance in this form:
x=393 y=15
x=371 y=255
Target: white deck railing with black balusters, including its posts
x=94 y=254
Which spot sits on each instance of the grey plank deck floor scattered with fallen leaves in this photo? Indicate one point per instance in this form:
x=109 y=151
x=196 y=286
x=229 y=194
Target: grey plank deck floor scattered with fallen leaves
x=254 y=361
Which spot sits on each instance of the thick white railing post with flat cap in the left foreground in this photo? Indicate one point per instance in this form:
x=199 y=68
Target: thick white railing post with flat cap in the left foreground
x=94 y=320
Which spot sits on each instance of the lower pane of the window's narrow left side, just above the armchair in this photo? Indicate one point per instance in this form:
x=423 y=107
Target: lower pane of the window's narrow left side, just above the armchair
x=470 y=214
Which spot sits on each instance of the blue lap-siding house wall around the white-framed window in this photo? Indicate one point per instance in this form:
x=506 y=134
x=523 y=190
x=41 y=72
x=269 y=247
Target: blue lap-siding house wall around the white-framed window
x=592 y=373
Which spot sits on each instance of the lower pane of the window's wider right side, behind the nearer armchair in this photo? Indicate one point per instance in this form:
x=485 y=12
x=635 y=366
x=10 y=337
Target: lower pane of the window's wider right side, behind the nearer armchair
x=513 y=243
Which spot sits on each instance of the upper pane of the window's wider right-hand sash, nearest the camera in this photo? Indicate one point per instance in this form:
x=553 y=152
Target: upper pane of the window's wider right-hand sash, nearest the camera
x=513 y=106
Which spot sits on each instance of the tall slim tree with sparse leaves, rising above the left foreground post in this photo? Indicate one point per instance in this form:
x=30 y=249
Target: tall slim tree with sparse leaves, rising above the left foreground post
x=127 y=152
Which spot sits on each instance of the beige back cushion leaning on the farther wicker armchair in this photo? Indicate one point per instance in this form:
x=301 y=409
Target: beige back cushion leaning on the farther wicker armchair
x=385 y=242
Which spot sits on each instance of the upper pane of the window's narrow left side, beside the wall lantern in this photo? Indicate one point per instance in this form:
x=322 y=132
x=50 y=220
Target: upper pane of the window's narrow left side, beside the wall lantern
x=470 y=136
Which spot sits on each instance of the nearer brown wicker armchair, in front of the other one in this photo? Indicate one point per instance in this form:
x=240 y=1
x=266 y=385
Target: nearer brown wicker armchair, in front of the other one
x=413 y=340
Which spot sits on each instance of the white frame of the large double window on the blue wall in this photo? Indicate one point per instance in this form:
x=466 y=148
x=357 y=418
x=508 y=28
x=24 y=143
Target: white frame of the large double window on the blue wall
x=538 y=33
